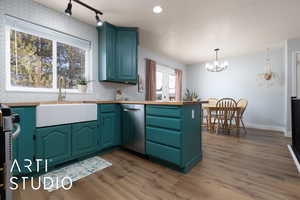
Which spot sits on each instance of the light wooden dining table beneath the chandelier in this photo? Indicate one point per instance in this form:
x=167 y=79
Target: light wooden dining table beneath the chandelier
x=212 y=108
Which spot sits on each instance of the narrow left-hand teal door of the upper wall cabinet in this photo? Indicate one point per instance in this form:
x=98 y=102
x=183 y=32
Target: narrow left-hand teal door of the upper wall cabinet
x=111 y=52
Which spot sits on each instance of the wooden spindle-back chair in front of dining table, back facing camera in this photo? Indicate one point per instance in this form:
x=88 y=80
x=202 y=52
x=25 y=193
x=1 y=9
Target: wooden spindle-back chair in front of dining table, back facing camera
x=225 y=114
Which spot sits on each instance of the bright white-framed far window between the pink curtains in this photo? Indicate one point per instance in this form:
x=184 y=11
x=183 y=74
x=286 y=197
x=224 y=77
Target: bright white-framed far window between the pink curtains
x=165 y=83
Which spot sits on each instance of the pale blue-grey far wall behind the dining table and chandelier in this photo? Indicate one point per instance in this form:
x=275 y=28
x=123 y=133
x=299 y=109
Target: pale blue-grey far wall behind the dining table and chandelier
x=266 y=105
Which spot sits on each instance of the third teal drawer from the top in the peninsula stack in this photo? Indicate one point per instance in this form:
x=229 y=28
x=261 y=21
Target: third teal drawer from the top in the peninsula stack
x=164 y=136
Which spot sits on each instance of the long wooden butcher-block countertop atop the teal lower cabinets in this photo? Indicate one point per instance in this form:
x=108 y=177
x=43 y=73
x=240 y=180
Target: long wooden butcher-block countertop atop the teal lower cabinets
x=175 y=103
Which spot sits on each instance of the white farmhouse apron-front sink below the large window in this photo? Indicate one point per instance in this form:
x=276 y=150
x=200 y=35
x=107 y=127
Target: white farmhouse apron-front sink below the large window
x=56 y=114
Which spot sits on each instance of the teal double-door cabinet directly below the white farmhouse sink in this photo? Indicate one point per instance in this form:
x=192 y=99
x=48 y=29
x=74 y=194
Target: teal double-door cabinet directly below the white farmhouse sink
x=61 y=143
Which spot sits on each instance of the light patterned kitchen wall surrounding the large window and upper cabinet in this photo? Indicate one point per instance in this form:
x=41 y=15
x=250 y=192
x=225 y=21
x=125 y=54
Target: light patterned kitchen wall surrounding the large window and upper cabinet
x=39 y=14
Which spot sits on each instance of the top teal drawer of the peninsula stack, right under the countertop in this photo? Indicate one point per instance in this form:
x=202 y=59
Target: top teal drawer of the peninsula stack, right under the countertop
x=164 y=111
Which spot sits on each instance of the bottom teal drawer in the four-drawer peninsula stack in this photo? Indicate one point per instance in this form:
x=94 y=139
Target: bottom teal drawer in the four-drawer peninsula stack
x=162 y=152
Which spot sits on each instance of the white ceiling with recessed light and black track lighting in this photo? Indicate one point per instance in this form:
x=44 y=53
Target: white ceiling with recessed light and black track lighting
x=189 y=30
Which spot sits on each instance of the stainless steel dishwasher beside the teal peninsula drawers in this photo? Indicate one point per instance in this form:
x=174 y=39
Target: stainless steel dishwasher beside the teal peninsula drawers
x=133 y=127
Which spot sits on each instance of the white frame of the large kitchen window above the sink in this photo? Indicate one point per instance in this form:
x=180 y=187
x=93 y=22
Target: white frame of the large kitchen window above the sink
x=54 y=89
